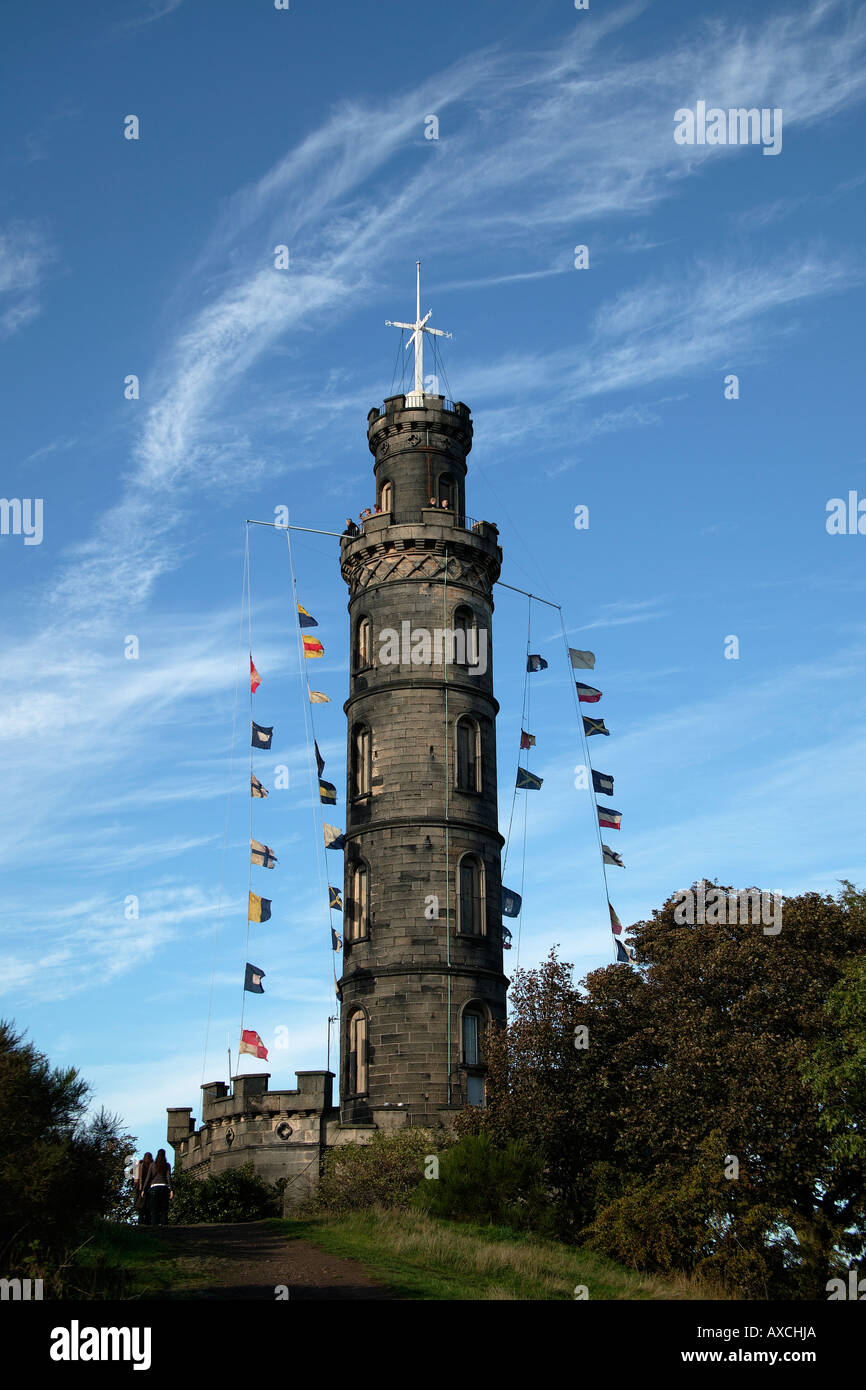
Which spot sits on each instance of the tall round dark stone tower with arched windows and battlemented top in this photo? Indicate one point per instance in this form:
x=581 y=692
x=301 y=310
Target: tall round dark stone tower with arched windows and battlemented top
x=423 y=894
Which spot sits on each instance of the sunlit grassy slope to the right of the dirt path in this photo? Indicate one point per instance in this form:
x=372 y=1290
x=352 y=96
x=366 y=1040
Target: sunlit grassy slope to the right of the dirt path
x=423 y=1257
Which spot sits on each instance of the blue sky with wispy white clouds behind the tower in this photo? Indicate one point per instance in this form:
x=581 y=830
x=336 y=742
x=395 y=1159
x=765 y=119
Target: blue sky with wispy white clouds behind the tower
x=601 y=387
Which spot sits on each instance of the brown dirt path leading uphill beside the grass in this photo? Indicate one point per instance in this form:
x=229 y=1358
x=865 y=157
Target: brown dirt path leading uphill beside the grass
x=251 y=1261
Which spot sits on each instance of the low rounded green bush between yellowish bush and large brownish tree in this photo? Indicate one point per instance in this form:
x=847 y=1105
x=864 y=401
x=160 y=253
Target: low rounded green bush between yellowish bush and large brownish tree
x=479 y=1182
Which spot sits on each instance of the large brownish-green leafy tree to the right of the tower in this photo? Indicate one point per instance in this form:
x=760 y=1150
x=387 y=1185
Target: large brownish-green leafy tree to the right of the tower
x=687 y=1134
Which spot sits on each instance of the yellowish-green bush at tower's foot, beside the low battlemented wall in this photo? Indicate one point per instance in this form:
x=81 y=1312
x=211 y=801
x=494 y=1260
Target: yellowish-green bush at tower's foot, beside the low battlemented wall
x=384 y=1172
